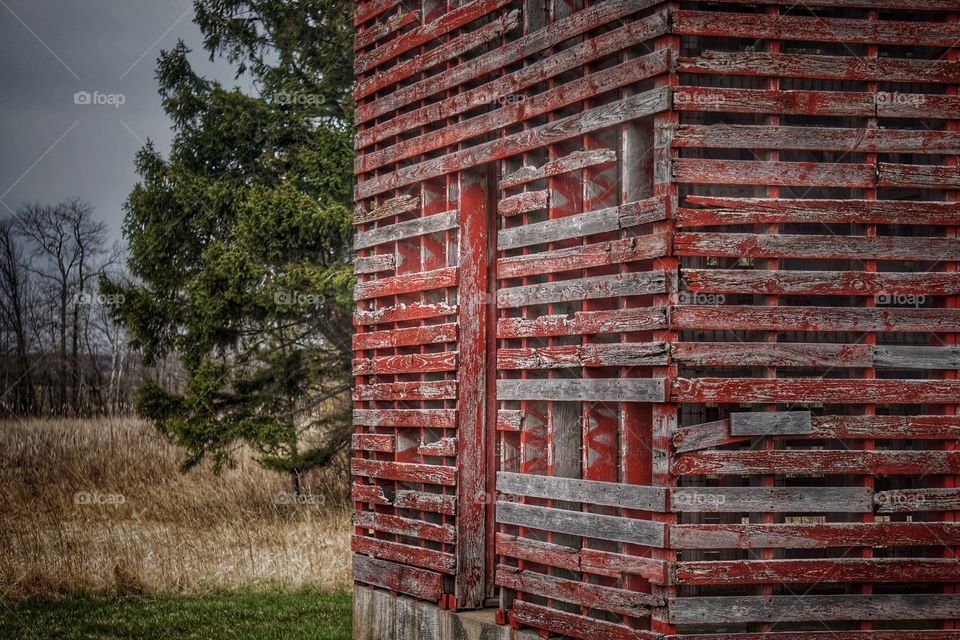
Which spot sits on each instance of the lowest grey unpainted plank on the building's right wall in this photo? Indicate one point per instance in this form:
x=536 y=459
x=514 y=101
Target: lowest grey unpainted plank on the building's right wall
x=794 y=608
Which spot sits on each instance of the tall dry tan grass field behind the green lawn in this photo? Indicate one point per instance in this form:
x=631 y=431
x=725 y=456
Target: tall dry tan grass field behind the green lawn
x=100 y=506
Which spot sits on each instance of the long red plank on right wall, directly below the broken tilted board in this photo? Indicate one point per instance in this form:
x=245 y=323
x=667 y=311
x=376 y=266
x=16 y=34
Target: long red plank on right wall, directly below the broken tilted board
x=818 y=462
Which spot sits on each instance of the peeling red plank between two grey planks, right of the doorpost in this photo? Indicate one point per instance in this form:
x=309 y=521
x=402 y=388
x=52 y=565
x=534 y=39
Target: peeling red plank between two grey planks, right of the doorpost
x=598 y=254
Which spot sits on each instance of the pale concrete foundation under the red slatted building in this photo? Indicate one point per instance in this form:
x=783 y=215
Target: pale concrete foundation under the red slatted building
x=378 y=615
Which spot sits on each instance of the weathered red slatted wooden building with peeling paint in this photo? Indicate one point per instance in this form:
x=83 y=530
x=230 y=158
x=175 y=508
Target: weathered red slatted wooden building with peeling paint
x=657 y=317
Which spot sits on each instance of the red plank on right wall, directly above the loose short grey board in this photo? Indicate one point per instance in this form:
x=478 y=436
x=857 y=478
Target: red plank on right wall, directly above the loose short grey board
x=828 y=391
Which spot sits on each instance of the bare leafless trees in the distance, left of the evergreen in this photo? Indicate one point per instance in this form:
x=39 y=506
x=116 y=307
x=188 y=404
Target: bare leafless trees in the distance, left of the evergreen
x=62 y=353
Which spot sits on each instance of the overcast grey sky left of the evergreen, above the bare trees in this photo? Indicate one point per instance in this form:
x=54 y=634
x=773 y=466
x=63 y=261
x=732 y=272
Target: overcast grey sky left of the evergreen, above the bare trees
x=52 y=147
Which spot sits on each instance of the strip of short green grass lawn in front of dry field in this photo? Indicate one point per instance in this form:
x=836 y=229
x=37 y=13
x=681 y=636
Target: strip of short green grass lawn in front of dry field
x=226 y=616
